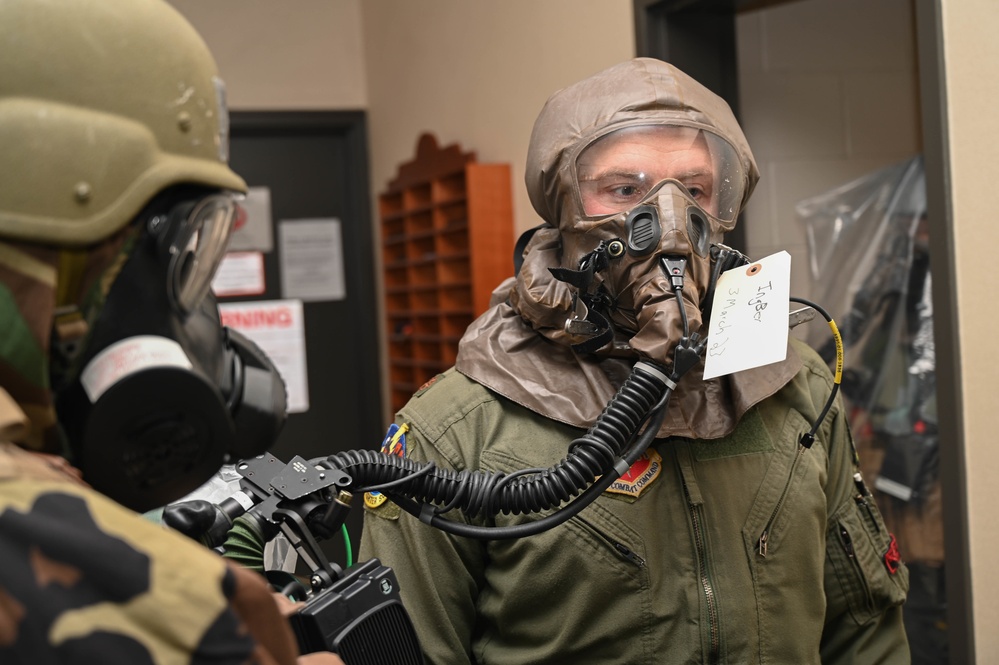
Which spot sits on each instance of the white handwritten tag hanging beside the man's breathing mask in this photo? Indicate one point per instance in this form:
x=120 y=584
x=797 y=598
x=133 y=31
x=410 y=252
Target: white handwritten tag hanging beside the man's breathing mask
x=749 y=313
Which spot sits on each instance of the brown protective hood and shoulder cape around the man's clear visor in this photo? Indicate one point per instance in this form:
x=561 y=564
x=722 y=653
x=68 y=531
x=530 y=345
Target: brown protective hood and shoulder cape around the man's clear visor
x=520 y=349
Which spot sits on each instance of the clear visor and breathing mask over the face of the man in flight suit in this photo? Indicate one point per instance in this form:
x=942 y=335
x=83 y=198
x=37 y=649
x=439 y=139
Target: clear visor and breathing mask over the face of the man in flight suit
x=644 y=204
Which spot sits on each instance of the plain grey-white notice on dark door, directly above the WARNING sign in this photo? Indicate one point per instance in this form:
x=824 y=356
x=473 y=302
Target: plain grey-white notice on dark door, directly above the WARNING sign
x=311 y=259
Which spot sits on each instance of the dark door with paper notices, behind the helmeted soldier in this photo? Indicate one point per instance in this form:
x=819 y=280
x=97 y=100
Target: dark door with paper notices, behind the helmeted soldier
x=316 y=167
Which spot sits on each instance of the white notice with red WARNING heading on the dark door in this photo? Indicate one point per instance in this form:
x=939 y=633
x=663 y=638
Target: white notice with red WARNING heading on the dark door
x=277 y=327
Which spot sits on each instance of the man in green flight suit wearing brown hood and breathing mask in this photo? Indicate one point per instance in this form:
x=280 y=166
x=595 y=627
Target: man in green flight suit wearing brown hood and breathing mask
x=735 y=538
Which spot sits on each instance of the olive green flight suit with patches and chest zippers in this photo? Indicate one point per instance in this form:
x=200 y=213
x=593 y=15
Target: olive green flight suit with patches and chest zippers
x=745 y=549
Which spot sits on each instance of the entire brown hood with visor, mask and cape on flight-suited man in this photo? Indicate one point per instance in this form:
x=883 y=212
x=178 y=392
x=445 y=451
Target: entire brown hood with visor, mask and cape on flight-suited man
x=637 y=171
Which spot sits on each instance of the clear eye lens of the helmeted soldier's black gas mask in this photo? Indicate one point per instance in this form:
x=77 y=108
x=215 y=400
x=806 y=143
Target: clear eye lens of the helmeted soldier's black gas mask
x=197 y=247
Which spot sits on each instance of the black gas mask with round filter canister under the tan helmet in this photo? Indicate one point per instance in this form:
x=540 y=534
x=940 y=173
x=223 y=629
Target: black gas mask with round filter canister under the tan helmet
x=162 y=394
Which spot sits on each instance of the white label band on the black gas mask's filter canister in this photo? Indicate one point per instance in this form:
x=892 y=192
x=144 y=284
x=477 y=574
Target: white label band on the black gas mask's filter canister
x=127 y=357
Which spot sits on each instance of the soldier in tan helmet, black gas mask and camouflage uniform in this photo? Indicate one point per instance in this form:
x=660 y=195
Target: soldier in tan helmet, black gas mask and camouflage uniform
x=119 y=389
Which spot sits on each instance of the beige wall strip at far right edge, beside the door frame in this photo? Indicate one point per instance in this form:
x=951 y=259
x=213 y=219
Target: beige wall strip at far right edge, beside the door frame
x=971 y=52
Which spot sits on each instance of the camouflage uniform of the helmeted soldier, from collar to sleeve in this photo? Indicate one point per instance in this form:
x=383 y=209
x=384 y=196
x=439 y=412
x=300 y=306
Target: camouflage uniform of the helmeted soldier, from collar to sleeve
x=83 y=579
